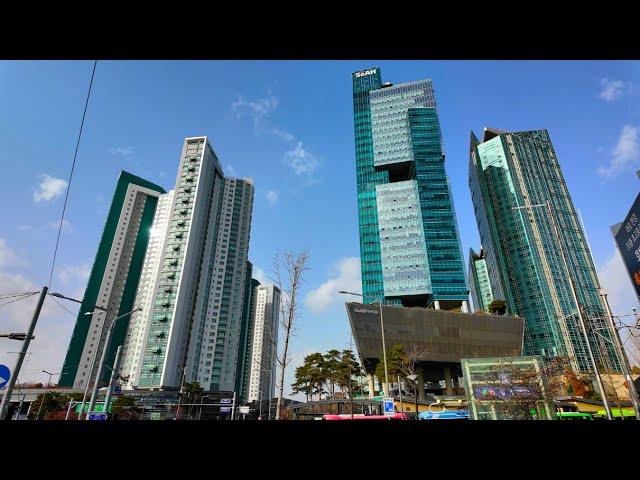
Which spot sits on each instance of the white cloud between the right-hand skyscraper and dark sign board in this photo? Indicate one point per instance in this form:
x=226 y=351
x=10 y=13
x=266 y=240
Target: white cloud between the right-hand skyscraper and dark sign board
x=615 y=280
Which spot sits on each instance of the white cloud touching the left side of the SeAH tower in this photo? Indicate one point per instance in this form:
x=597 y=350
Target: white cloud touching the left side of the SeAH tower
x=348 y=279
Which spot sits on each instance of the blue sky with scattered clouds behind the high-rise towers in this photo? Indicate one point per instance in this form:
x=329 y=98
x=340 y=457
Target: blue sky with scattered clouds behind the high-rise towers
x=288 y=125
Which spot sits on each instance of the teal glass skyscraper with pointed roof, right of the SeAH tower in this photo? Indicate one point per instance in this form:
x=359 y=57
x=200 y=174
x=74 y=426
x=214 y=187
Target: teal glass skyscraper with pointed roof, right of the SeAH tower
x=511 y=170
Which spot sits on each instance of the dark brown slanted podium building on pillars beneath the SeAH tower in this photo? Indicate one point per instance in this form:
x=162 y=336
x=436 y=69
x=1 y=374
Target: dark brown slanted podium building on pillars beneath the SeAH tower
x=436 y=339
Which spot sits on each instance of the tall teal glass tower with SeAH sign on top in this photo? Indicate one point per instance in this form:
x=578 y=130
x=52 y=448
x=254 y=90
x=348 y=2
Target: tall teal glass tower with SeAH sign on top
x=409 y=243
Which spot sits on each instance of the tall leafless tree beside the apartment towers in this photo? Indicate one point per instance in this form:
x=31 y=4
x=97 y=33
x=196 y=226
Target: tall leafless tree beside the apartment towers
x=292 y=266
